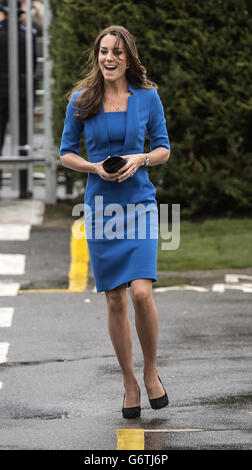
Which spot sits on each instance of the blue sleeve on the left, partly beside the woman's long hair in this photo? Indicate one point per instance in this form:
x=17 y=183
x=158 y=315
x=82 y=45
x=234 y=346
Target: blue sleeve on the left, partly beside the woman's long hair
x=71 y=136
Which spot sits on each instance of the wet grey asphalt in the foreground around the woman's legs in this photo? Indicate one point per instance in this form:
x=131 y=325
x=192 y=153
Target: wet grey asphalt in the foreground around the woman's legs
x=62 y=386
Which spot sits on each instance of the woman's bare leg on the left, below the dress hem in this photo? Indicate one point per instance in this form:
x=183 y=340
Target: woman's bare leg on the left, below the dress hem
x=120 y=333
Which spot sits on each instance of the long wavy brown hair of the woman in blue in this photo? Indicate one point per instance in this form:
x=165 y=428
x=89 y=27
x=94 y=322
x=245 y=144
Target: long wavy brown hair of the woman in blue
x=89 y=102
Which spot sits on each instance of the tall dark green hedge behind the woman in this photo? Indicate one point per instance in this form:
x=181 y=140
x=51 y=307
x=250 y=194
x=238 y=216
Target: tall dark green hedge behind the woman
x=199 y=53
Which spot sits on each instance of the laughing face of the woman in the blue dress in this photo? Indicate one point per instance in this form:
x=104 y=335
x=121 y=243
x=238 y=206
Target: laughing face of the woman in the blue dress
x=112 y=60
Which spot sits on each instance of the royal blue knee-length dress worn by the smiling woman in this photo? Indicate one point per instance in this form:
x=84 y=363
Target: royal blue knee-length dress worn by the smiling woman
x=121 y=219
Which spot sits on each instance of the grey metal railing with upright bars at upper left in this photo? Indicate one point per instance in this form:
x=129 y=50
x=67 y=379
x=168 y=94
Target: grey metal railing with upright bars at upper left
x=15 y=162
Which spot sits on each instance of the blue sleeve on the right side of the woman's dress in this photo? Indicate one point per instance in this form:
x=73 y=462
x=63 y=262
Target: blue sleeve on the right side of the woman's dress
x=157 y=124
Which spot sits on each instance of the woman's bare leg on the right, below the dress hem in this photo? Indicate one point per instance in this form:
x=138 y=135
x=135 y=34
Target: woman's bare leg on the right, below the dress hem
x=146 y=319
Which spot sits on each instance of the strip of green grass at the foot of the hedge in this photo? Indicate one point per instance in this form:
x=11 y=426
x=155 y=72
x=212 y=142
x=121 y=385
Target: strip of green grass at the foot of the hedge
x=212 y=244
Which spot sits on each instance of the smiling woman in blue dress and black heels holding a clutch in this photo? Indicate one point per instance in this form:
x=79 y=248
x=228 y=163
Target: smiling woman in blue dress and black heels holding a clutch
x=114 y=106
